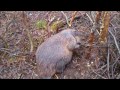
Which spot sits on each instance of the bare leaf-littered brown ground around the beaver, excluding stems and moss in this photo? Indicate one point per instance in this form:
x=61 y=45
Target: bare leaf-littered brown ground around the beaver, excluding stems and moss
x=16 y=64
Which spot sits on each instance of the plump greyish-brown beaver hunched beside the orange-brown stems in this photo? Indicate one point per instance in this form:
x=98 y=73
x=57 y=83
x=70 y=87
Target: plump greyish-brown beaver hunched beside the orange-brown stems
x=56 y=52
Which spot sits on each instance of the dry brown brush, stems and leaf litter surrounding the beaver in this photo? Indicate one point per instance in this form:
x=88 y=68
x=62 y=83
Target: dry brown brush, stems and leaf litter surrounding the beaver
x=22 y=31
